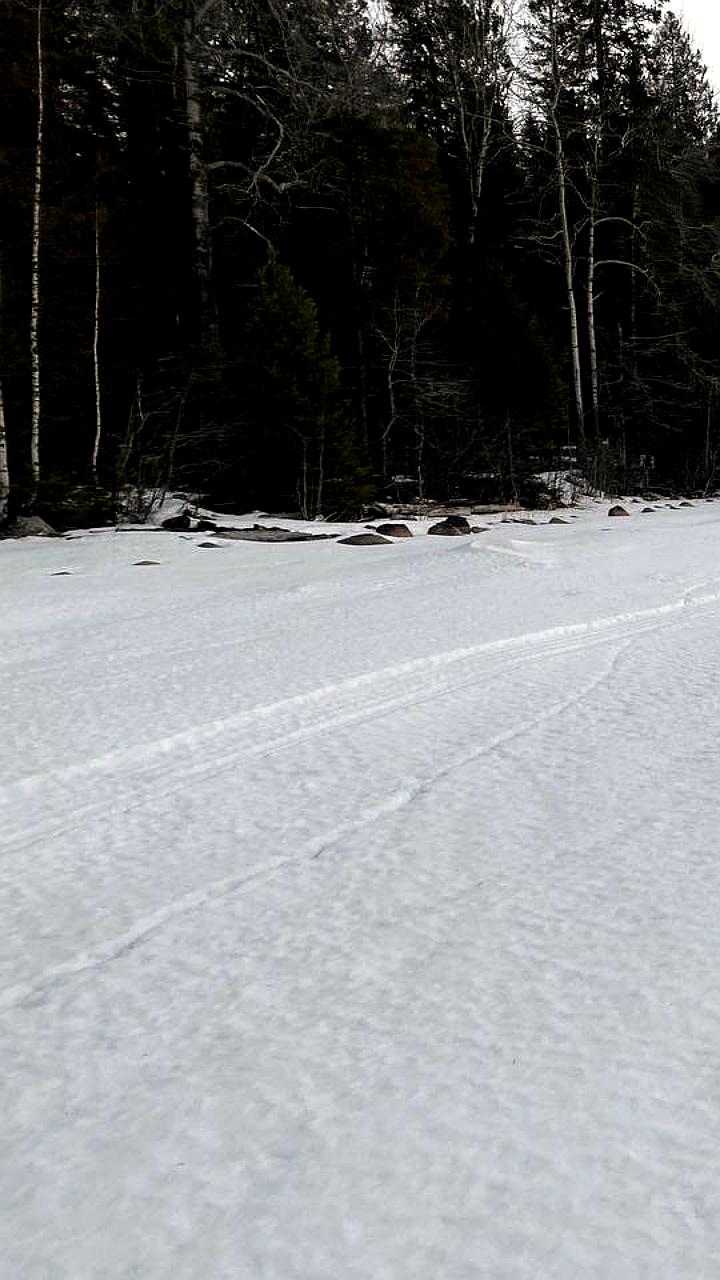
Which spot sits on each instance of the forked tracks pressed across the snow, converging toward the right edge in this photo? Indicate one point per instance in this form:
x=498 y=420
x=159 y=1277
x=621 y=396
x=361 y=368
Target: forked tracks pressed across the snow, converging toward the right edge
x=535 y=647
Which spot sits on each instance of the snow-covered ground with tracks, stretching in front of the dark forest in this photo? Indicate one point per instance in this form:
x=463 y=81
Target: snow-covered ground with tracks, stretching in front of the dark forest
x=361 y=906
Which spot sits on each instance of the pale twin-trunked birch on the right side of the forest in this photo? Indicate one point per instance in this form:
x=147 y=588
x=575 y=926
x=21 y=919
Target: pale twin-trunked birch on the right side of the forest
x=584 y=57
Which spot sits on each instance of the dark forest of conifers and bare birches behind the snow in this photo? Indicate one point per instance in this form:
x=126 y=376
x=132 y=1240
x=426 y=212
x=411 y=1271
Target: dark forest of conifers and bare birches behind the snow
x=308 y=255
